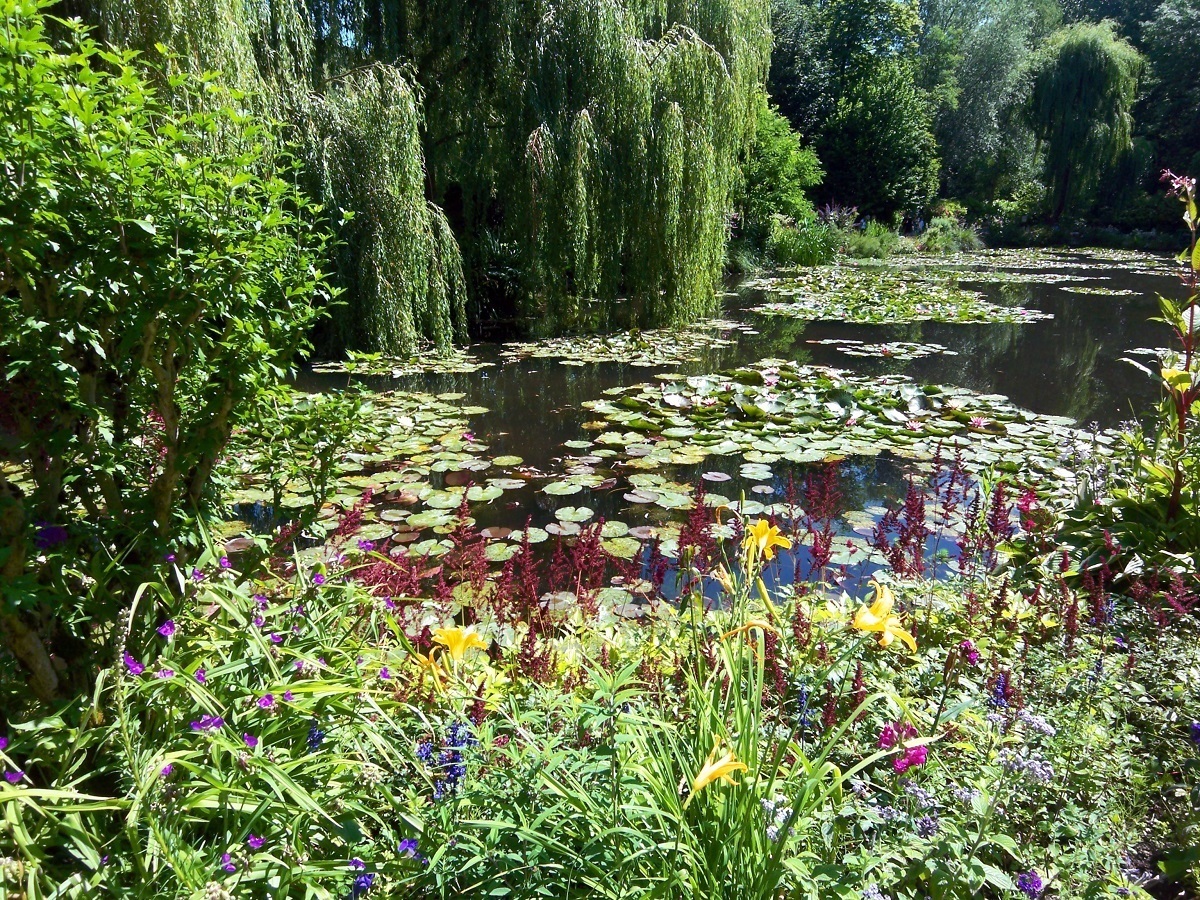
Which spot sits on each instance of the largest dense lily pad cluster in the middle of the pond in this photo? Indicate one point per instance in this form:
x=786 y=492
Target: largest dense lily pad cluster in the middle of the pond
x=778 y=411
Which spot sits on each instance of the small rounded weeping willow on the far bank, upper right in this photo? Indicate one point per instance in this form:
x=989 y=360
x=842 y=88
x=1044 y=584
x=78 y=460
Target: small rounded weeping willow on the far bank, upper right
x=1085 y=82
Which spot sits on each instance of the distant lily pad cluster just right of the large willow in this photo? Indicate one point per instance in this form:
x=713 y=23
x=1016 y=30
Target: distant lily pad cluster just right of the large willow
x=873 y=297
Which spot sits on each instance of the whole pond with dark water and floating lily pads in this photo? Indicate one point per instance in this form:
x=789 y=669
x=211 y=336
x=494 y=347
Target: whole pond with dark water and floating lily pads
x=621 y=429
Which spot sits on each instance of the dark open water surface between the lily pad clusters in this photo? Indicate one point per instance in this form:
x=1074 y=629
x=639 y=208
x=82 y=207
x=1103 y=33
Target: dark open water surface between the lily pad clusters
x=1069 y=365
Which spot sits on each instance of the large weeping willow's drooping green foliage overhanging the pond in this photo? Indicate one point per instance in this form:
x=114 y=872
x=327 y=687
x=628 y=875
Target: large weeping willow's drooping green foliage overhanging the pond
x=585 y=152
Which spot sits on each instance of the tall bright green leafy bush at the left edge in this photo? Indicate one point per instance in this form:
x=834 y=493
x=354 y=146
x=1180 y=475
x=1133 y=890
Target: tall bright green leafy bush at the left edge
x=158 y=271
